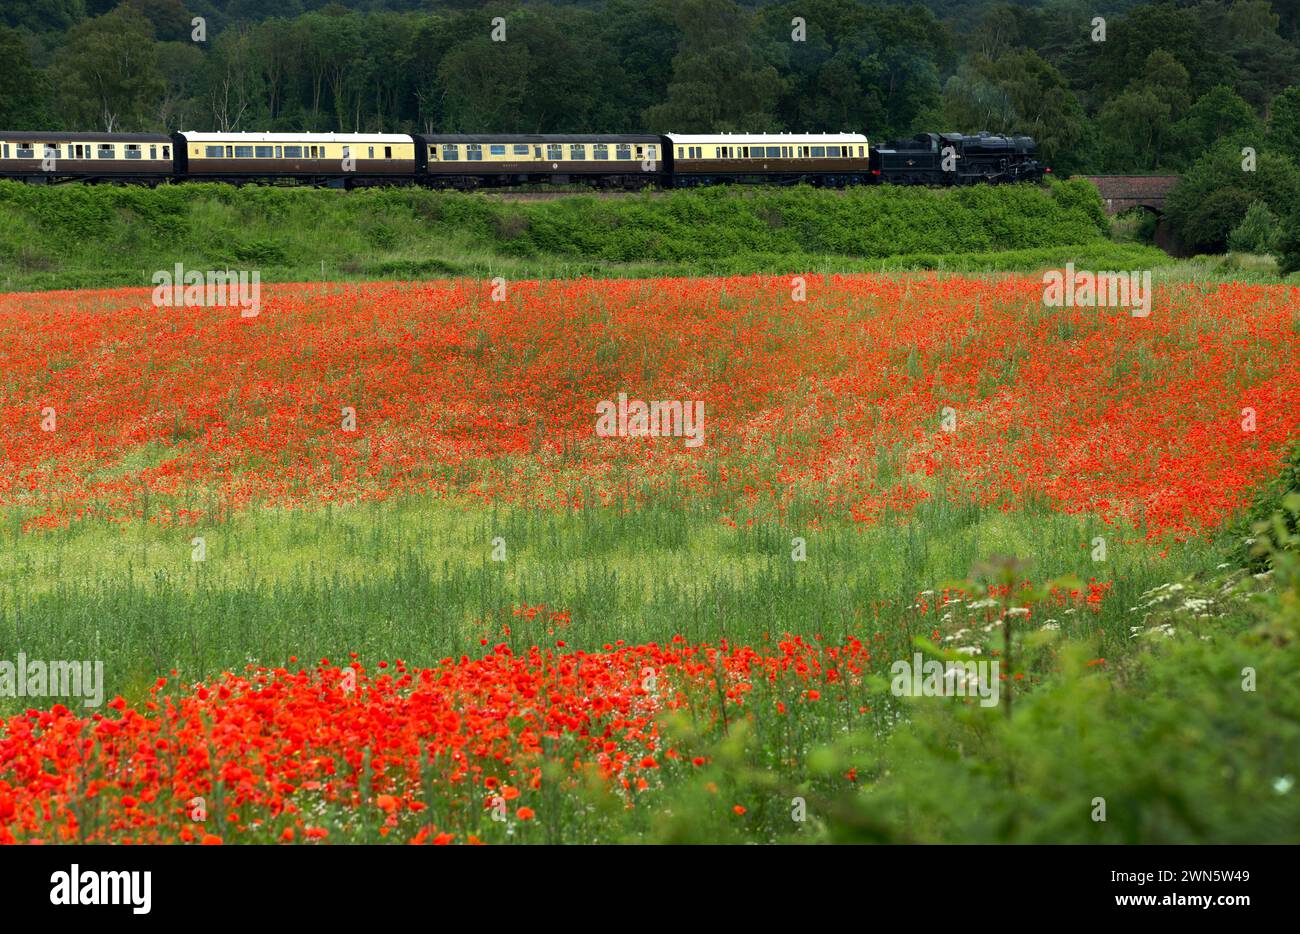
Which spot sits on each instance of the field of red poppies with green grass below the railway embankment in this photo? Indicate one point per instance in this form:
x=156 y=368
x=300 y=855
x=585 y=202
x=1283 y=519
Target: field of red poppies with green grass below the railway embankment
x=366 y=567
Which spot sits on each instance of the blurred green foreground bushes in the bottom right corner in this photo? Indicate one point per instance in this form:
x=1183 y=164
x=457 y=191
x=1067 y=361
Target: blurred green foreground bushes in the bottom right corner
x=1190 y=733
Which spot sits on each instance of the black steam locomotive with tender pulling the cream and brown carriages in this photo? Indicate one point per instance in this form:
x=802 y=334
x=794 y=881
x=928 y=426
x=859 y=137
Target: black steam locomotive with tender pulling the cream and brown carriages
x=956 y=159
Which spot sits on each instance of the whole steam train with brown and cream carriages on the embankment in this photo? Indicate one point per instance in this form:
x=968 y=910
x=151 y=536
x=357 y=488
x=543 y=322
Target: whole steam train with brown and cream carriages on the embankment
x=467 y=162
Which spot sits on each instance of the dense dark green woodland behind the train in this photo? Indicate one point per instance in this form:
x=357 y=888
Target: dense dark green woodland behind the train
x=1164 y=85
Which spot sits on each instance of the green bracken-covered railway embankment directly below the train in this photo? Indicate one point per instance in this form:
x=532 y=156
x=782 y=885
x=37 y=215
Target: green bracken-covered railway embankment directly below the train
x=118 y=236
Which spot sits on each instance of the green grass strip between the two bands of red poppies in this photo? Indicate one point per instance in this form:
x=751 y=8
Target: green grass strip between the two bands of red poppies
x=415 y=581
